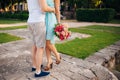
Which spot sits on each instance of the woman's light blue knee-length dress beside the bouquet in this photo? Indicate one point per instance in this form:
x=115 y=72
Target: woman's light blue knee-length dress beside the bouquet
x=50 y=21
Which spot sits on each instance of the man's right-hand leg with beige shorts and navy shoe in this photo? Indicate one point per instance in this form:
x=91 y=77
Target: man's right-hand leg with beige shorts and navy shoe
x=39 y=38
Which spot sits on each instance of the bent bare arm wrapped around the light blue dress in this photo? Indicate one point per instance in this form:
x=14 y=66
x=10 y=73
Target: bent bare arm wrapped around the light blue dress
x=45 y=7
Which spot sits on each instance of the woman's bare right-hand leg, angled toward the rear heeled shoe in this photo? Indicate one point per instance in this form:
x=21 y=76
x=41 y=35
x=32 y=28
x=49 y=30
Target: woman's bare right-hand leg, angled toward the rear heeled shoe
x=53 y=49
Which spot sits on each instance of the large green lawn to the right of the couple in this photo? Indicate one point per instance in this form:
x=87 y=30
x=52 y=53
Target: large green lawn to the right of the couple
x=102 y=36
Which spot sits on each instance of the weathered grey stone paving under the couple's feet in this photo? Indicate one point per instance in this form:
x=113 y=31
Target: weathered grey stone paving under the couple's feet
x=15 y=62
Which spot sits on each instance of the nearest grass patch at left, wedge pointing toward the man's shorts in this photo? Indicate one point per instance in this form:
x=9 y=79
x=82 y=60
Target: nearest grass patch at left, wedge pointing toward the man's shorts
x=4 y=37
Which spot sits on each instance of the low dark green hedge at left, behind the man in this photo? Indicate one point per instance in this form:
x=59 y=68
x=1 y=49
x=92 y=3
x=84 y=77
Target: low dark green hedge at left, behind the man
x=15 y=15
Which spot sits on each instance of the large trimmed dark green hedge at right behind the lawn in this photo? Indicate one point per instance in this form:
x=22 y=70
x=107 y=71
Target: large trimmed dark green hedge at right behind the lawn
x=95 y=15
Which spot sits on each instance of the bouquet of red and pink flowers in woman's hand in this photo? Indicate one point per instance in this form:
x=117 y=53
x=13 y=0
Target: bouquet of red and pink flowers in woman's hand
x=61 y=31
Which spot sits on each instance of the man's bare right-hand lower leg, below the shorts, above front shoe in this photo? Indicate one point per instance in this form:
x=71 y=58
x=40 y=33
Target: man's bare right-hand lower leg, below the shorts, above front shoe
x=39 y=56
